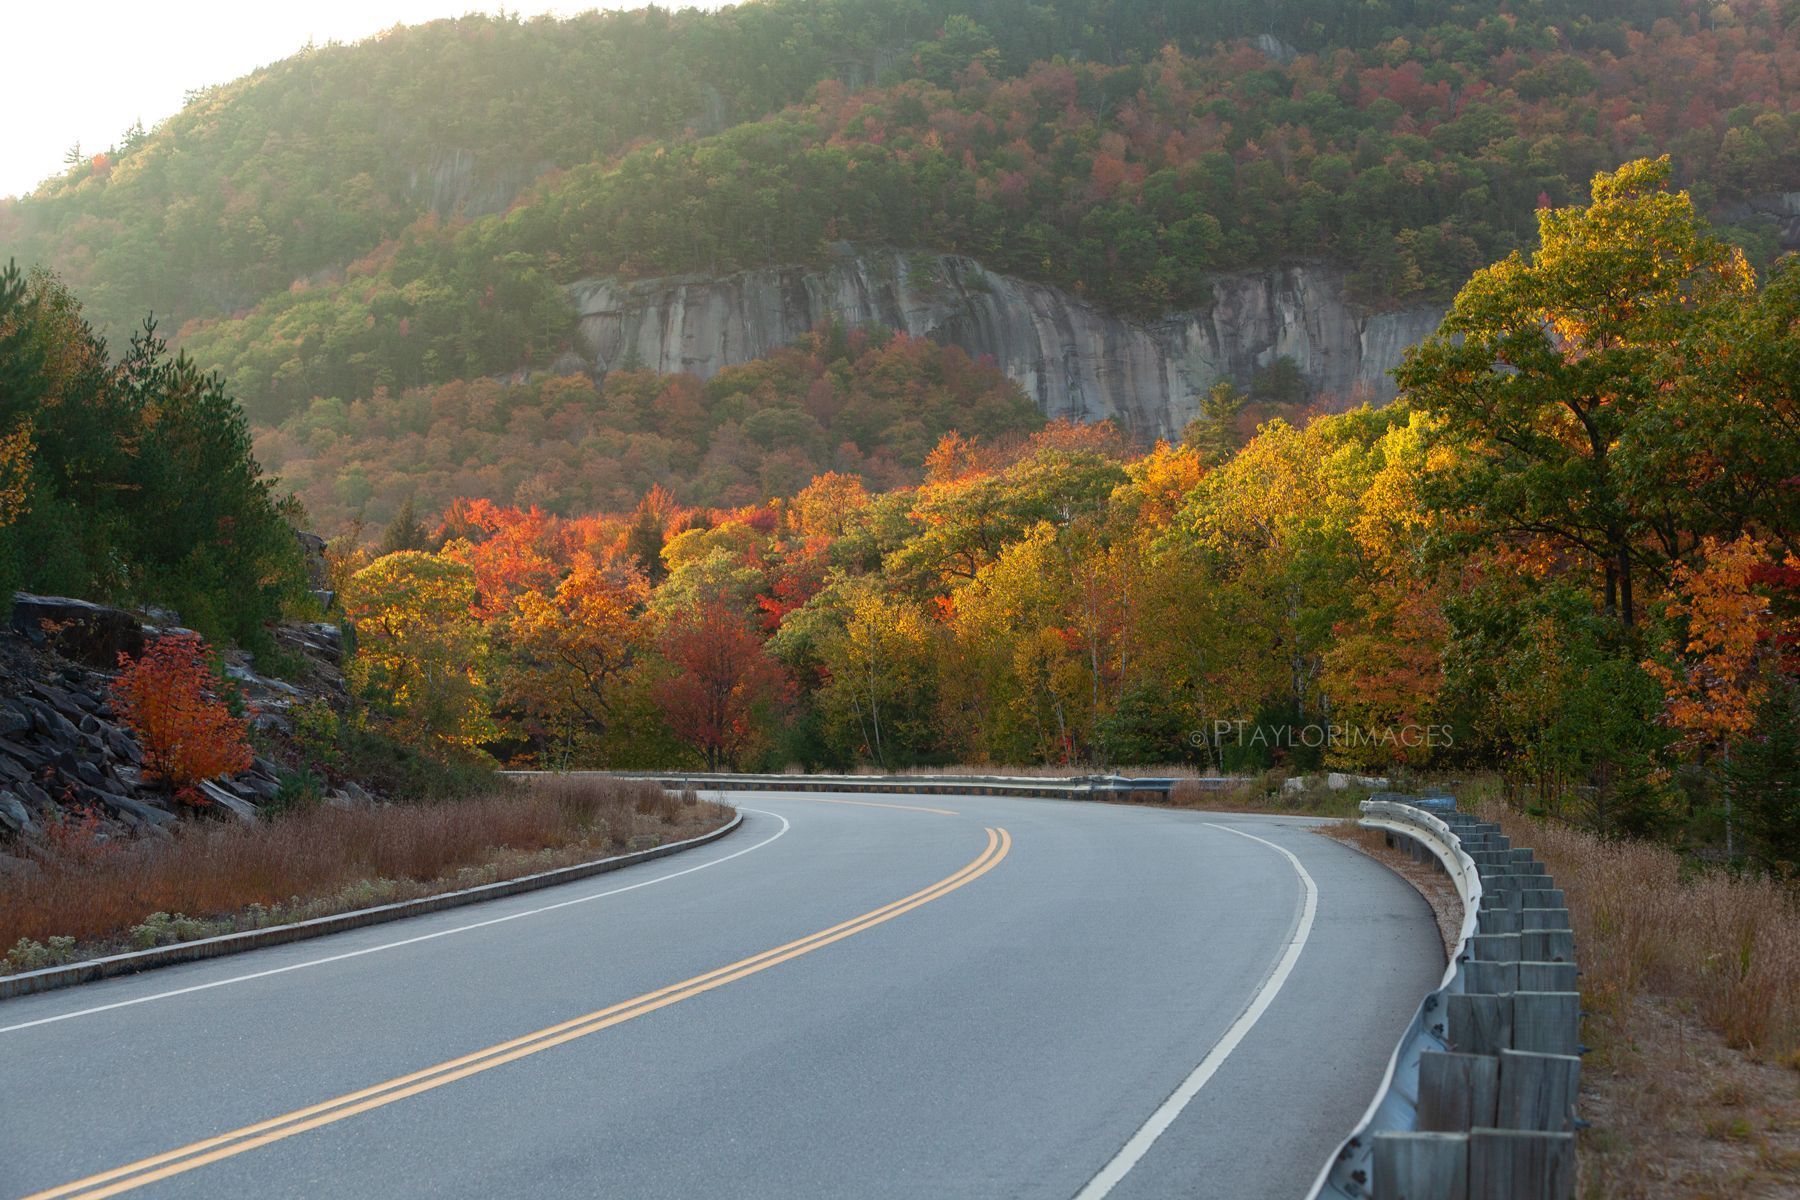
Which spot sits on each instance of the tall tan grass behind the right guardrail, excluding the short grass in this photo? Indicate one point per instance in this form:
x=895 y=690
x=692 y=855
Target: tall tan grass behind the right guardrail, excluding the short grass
x=1725 y=945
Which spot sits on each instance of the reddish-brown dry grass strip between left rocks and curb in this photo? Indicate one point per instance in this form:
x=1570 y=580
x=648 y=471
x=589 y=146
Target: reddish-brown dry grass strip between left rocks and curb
x=323 y=861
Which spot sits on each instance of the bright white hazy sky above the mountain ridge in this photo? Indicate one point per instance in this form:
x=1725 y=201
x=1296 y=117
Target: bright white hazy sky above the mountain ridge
x=84 y=71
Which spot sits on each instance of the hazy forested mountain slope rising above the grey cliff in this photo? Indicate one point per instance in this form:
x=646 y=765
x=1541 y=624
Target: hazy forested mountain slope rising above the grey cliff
x=404 y=213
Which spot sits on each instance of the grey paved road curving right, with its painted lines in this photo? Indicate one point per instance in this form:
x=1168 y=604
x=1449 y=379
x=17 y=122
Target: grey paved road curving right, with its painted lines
x=1050 y=980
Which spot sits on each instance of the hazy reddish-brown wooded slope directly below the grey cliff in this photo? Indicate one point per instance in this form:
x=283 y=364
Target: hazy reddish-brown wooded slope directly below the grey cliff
x=840 y=400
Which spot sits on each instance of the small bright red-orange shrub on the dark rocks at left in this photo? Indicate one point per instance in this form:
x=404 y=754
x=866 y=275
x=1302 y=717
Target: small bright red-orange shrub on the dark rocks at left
x=186 y=731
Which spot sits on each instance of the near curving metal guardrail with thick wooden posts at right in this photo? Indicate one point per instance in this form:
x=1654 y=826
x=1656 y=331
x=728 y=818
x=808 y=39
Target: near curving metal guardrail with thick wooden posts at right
x=1479 y=1102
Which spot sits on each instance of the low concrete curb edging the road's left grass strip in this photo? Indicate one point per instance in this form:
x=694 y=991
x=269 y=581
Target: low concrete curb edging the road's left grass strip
x=134 y=962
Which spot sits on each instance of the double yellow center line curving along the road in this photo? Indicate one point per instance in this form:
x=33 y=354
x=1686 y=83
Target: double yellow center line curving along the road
x=264 y=1133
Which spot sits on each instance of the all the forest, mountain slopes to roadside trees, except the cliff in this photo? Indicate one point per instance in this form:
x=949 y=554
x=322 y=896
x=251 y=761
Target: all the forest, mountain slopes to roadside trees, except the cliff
x=1569 y=553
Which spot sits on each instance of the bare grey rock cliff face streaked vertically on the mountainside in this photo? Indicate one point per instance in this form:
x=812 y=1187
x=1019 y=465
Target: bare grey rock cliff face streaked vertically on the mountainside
x=1074 y=359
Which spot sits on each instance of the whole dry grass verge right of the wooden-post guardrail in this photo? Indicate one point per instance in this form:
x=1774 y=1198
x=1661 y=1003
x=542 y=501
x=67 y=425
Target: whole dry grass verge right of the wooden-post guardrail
x=1693 y=994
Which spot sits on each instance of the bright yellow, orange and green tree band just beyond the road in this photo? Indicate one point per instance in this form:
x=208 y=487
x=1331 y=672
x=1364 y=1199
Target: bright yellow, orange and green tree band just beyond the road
x=1581 y=569
